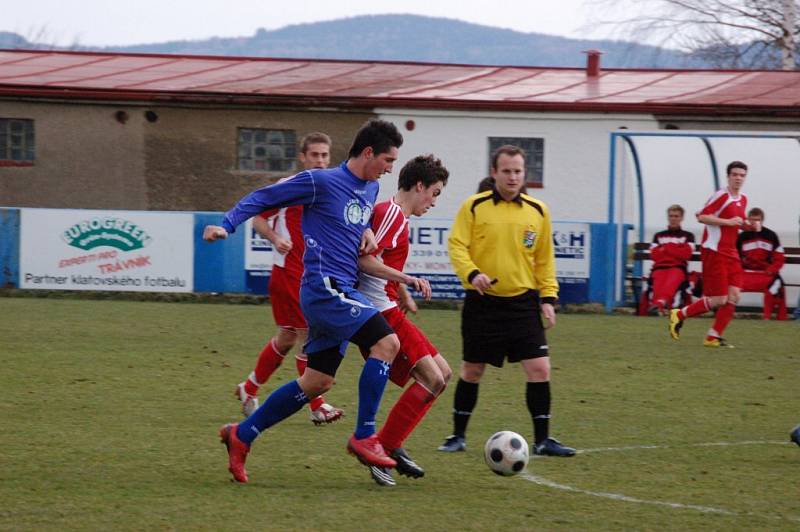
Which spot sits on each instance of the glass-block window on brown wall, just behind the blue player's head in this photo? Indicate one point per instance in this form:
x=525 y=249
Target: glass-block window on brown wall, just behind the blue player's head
x=269 y=150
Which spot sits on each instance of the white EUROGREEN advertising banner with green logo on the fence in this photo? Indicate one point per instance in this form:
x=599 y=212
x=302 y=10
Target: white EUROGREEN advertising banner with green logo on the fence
x=127 y=251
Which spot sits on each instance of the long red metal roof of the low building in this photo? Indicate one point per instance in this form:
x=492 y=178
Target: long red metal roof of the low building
x=373 y=83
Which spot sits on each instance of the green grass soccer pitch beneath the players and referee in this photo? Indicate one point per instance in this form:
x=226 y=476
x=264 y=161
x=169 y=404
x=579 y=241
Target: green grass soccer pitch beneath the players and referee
x=110 y=411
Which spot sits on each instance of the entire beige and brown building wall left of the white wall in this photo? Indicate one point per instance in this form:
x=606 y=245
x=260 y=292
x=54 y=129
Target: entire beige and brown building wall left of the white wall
x=185 y=160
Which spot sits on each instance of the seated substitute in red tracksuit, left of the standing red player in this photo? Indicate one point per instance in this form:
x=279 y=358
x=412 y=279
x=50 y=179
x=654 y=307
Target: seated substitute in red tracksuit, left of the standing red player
x=670 y=251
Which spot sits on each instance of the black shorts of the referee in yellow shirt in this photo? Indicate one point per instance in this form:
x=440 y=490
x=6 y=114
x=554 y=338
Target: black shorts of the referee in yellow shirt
x=495 y=328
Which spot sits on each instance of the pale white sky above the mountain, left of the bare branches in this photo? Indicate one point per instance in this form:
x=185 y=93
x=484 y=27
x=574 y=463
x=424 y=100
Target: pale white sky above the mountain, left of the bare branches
x=116 y=22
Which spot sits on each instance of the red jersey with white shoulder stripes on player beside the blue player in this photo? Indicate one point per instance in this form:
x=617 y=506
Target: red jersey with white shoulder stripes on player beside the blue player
x=390 y=226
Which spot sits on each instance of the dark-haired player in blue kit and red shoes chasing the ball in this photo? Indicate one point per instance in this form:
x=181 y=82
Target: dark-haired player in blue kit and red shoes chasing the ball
x=337 y=203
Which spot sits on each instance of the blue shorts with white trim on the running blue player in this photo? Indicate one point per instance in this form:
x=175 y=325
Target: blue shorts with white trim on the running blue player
x=334 y=314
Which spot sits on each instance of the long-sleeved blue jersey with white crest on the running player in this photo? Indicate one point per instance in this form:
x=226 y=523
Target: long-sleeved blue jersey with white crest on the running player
x=337 y=207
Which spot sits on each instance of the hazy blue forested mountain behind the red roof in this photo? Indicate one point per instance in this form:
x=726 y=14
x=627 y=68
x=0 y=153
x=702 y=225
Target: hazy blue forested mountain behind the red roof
x=419 y=38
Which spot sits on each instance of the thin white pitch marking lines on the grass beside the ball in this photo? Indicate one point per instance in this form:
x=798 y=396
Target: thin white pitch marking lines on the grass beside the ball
x=536 y=479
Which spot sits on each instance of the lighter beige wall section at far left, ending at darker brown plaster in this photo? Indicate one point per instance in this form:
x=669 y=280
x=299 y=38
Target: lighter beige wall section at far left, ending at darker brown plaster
x=85 y=158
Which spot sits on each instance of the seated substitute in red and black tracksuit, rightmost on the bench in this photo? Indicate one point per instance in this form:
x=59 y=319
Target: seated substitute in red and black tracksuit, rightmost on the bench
x=762 y=260
